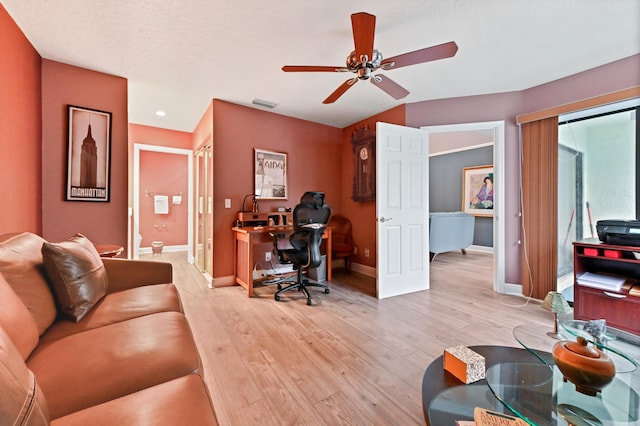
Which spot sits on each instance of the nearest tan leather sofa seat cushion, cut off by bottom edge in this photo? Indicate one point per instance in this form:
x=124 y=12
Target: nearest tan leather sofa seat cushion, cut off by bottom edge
x=183 y=401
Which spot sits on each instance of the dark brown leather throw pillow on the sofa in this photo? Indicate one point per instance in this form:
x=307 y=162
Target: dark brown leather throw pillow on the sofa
x=76 y=273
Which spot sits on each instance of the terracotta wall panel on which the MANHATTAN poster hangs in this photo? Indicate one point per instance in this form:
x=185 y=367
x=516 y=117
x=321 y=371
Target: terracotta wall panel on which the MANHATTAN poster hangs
x=101 y=222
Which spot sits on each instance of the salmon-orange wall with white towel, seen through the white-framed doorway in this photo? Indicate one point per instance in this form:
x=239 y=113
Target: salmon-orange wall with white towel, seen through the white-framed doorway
x=163 y=174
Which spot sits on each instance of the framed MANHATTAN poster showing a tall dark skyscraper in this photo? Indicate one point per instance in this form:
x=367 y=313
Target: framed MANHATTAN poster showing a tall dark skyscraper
x=88 y=154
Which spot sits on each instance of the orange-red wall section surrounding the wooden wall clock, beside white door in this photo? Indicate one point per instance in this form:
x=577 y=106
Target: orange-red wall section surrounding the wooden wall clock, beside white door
x=362 y=214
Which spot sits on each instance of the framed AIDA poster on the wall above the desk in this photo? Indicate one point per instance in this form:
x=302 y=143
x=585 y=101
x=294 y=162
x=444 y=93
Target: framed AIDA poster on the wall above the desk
x=270 y=175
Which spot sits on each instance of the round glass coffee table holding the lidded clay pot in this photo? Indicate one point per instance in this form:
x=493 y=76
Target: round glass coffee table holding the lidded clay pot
x=524 y=382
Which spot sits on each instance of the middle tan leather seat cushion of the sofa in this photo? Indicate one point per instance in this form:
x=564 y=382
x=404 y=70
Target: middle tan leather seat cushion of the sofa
x=95 y=366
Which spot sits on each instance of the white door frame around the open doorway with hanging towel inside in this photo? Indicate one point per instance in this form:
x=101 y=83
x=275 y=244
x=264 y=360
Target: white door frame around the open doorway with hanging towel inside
x=137 y=148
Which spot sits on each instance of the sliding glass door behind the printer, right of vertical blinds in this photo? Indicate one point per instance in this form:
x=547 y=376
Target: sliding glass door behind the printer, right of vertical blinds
x=598 y=175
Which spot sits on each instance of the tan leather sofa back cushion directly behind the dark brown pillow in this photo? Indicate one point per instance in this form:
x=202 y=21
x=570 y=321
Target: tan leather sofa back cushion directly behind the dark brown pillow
x=21 y=265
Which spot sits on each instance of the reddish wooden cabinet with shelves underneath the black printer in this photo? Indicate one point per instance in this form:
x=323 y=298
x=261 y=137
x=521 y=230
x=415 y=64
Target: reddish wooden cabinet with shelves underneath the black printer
x=620 y=308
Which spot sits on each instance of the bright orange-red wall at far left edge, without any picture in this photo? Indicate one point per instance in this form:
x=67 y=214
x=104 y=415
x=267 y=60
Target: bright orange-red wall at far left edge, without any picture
x=20 y=131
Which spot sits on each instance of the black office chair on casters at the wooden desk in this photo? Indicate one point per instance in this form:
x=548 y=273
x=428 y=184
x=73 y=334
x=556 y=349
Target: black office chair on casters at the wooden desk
x=302 y=248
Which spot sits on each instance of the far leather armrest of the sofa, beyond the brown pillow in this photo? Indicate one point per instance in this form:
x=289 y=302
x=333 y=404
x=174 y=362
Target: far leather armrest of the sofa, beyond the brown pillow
x=124 y=274
